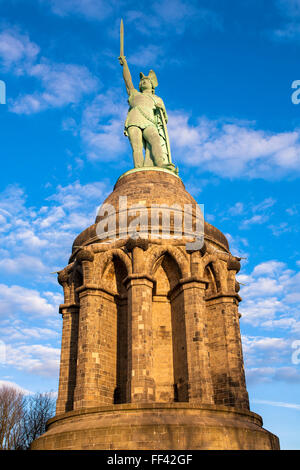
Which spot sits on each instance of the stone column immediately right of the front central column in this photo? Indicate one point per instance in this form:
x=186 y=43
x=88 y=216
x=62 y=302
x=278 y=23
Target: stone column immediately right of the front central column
x=199 y=377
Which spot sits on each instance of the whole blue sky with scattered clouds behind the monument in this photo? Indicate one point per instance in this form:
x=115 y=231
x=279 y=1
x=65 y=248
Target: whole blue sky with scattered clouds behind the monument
x=225 y=70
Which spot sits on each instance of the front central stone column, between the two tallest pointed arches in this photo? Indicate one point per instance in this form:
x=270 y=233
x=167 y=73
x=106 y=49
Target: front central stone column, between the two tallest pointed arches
x=141 y=386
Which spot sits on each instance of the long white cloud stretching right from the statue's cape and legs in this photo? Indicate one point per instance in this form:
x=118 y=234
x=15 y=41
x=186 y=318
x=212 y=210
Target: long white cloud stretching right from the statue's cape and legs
x=234 y=150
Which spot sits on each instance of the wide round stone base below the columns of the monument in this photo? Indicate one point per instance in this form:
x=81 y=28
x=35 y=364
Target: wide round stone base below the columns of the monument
x=157 y=426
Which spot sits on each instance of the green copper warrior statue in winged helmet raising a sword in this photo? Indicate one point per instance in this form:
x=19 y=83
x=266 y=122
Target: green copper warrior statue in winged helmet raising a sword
x=146 y=119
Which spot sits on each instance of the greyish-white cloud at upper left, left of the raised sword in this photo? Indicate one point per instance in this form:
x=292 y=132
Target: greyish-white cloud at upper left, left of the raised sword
x=61 y=84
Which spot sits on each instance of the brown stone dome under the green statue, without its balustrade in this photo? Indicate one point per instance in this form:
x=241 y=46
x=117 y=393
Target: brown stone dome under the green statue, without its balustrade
x=150 y=187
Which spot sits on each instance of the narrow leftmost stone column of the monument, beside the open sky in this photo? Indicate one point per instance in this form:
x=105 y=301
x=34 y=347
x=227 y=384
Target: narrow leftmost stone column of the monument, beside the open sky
x=68 y=358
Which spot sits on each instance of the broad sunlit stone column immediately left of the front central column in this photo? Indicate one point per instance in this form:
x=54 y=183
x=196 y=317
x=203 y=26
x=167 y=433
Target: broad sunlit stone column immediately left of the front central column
x=96 y=370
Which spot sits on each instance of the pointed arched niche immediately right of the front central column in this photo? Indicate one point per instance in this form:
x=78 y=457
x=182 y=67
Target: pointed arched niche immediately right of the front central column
x=169 y=335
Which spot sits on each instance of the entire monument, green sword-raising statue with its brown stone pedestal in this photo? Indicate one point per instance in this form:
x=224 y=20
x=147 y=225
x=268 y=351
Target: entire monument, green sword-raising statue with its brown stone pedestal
x=151 y=353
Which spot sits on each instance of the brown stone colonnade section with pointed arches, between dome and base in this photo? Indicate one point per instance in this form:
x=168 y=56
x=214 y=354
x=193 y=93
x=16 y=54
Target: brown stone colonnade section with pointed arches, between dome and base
x=146 y=333
